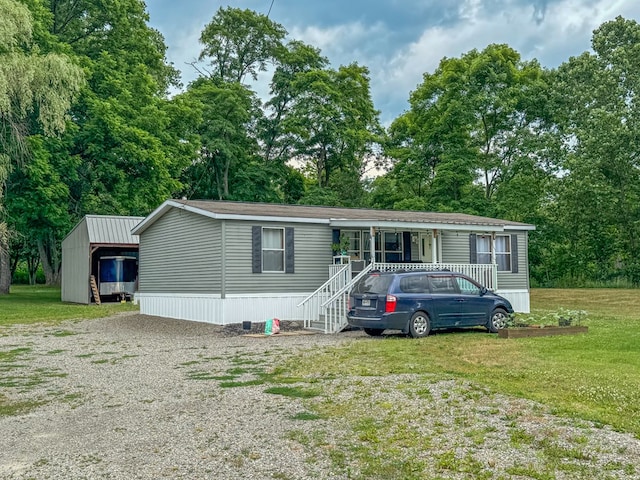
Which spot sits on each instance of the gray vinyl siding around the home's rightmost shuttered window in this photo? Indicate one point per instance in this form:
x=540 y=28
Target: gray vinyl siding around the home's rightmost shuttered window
x=455 y=249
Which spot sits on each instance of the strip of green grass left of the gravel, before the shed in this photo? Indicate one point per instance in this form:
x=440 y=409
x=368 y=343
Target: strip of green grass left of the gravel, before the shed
x=39 y=304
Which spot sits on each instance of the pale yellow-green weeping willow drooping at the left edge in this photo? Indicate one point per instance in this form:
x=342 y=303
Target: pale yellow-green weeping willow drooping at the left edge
x=36 y=91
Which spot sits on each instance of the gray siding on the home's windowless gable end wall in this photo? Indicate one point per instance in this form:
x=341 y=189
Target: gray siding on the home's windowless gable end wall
x=181 y=253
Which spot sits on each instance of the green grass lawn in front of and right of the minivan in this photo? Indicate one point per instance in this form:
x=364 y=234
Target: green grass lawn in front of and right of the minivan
x=593 y=376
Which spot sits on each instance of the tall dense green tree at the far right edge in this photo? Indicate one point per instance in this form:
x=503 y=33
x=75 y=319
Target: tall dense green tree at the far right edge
x=597 y=201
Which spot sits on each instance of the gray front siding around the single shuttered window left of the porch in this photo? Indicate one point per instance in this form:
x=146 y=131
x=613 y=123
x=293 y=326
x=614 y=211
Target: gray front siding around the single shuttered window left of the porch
x=312 y=247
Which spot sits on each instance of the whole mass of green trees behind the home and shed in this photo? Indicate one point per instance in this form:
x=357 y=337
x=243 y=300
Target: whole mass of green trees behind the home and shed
x=86 y=126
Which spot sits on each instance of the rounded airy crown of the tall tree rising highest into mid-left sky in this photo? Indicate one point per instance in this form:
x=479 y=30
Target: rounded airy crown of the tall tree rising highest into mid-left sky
x=239 y=42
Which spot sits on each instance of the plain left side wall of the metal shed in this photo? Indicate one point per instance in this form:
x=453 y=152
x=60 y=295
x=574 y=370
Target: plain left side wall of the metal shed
x=75 y=266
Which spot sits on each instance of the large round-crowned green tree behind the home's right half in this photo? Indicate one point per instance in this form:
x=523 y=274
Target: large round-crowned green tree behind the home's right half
x=474 y=125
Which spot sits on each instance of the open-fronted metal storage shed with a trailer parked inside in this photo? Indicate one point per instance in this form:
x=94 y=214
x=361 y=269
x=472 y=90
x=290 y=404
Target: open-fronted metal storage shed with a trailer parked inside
x=99 y=241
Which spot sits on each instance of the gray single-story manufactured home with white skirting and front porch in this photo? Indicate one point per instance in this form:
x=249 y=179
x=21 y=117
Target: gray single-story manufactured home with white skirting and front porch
x=231 y=262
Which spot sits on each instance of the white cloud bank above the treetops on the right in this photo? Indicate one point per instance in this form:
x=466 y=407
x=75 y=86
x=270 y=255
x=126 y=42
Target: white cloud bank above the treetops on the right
x=565 y=31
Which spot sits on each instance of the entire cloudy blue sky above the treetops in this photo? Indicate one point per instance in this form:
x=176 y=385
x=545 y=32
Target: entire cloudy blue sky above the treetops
x=399 y=40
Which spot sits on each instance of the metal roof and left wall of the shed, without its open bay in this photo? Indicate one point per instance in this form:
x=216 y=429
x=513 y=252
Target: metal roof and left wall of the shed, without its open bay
x=93 y=237
